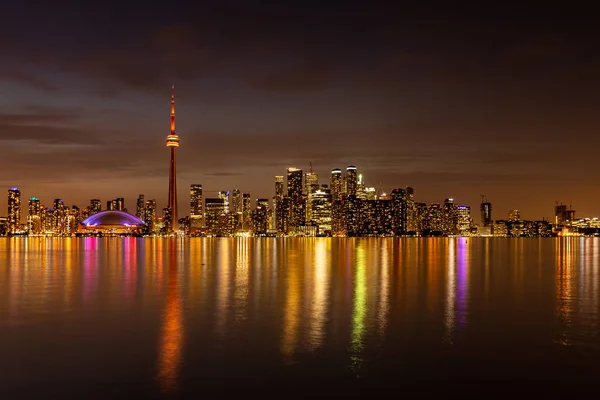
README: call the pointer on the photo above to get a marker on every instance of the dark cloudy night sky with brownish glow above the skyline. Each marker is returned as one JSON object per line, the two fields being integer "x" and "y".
{"x": 456, "y": 101}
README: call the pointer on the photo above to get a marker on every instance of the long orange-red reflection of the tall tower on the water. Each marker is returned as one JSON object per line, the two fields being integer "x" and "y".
{"x": 171, "y": 336}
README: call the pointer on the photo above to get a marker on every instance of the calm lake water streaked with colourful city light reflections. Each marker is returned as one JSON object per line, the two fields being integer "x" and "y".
{"x": 172, "y": 318}
